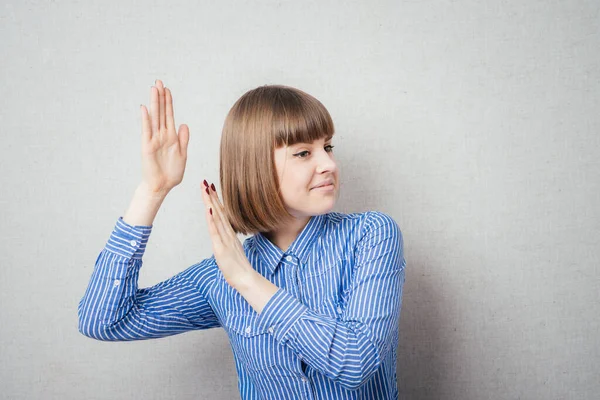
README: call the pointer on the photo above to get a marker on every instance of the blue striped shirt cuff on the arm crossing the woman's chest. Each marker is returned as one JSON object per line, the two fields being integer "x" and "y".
{"x": 280, "y": 314}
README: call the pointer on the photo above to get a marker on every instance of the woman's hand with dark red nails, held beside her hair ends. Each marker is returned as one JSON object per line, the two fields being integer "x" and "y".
{"x": 229, "y": 252}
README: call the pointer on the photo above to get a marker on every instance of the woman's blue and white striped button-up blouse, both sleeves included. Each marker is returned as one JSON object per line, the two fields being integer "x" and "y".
{"x": 329, "y": 332}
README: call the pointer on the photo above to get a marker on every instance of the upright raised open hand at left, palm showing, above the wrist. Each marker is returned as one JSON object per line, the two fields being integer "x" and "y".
{"x": 164, "y": 151}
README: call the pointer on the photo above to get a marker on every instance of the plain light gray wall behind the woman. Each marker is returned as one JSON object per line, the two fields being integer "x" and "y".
{"x": 474, "y": 124}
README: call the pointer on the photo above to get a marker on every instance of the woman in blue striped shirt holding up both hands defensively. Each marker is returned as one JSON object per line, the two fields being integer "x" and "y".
{"x": 311, "y": 302}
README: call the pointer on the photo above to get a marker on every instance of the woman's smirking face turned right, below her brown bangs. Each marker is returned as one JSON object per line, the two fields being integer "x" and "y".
{"x": 301, "y": 168}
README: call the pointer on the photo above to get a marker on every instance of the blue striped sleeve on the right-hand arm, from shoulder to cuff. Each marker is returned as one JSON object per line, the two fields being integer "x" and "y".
{"x": 349, "y": 349}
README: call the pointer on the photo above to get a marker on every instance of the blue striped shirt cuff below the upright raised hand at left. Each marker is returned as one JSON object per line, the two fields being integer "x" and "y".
{"x": 127, "y": 240}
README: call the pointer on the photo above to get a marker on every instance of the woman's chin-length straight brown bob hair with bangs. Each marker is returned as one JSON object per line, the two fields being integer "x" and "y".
{"x": 262, "y": 120}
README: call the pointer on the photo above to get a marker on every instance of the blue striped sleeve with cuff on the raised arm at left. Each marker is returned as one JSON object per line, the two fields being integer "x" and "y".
{"x": 114, "y": 309}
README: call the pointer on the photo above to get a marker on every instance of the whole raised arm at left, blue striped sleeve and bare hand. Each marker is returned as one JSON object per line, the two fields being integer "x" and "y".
{"x": 113, "y": 308}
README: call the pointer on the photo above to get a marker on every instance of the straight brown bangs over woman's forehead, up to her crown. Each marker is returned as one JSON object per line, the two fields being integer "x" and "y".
{"x": 299, "y": 118}
